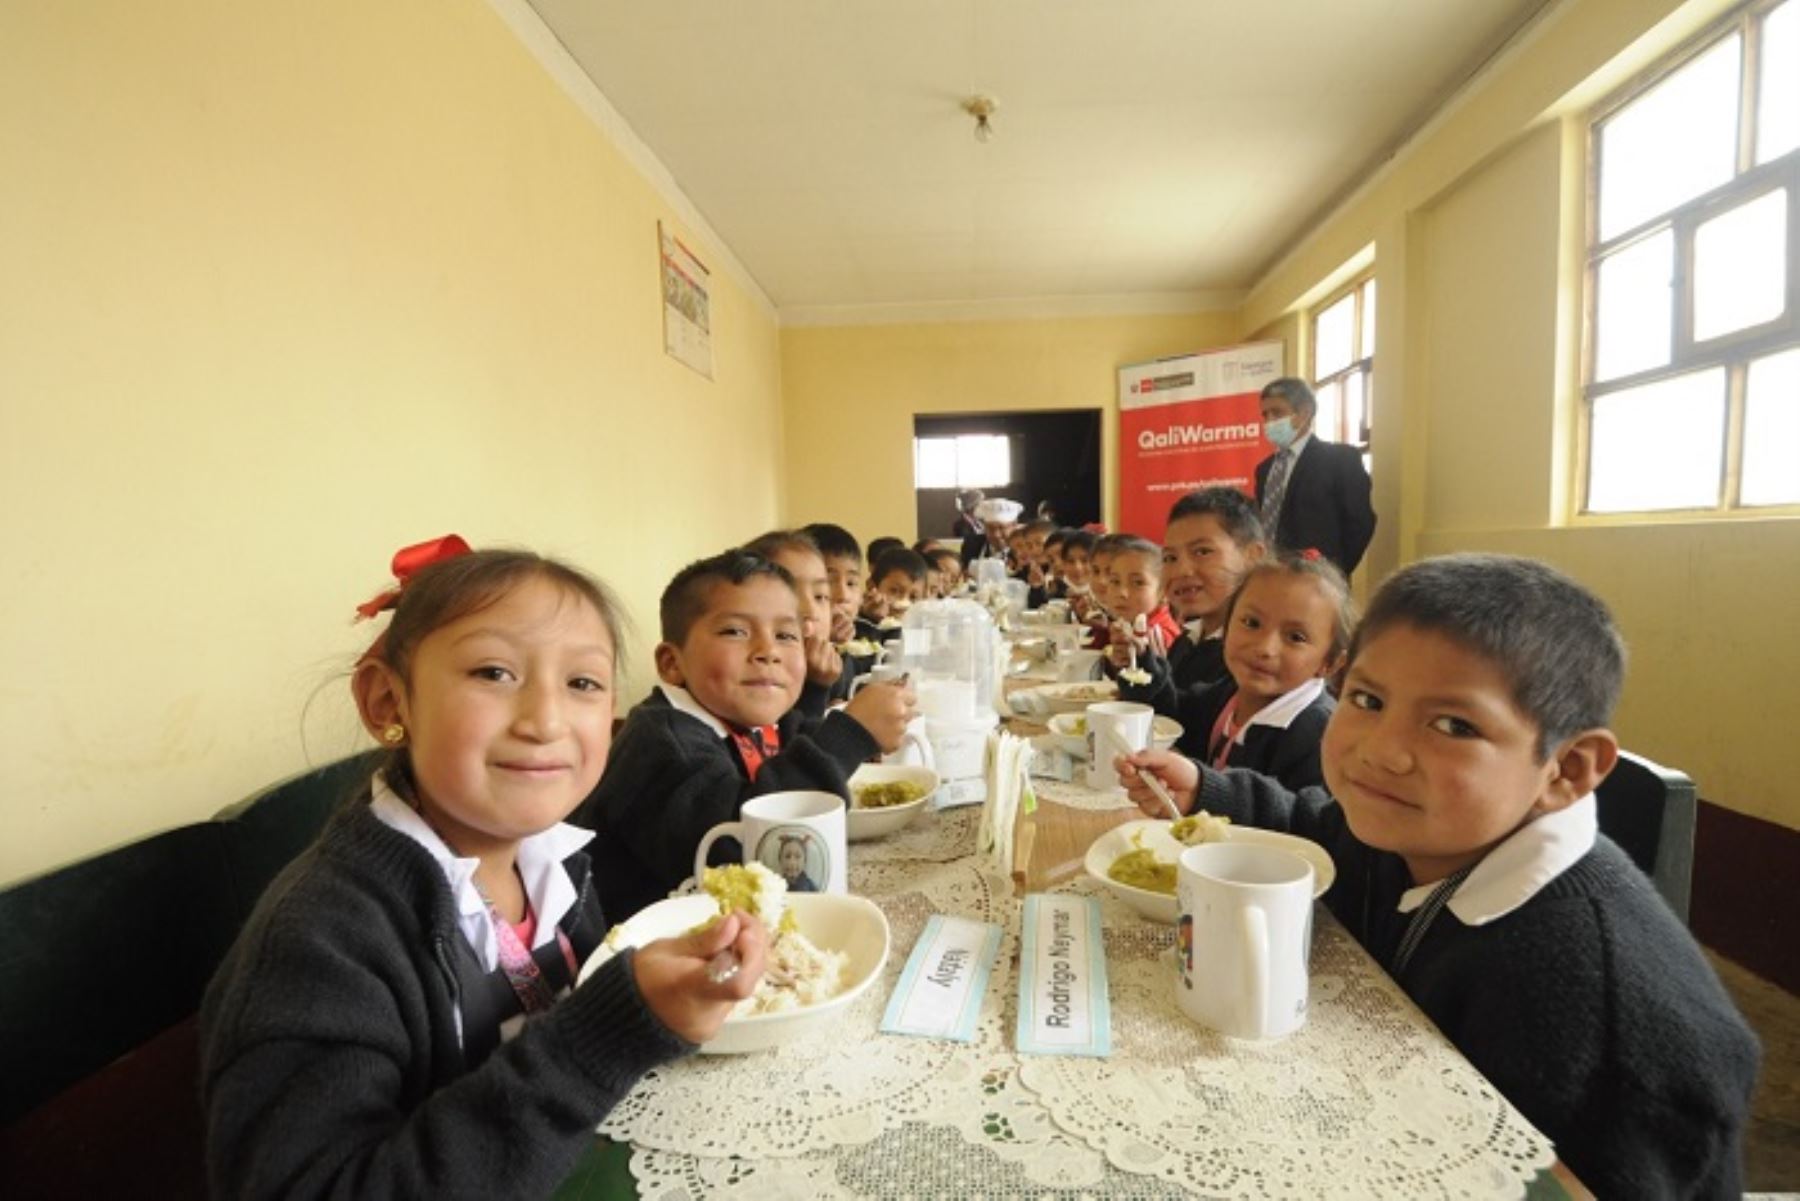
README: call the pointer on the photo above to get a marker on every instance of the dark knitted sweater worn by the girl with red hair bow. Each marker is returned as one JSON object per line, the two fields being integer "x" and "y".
{"x": 332, "y": 1061}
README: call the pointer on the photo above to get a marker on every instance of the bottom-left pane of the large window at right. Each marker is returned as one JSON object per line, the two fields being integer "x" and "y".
{"x": 1659, "y": 447}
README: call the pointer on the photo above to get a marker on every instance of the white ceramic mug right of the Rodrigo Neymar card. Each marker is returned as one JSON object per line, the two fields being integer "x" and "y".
{"x": 1243, "y": 939}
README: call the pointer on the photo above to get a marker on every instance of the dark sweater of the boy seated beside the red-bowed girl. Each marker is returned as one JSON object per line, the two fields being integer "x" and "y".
{"x": 672, "y": 777}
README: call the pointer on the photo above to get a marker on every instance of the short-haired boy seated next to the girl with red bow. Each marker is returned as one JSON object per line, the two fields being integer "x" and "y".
{"x": 723, "y": 728}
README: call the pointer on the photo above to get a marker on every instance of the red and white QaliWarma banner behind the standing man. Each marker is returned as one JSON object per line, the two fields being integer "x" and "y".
{"x": 1191, "y": 422}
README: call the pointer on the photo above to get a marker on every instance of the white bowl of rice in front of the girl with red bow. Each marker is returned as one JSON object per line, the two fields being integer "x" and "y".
{"x": 827, "y": 952}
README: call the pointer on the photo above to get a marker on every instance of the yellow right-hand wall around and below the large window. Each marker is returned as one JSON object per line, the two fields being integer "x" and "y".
{"x": 1479, "y": 258}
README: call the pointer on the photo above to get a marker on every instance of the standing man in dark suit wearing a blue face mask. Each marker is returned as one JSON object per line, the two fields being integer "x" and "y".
{"x": 1311, "y": 492}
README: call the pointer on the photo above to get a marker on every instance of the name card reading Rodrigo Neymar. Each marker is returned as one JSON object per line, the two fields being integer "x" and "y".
{"x": 1063, "y": 979}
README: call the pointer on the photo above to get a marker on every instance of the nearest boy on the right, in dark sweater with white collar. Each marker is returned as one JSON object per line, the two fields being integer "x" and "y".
{"x": 1462, "y": 763}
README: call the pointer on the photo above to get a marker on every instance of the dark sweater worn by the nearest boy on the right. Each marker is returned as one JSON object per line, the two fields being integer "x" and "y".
{"x": 1588, "y": 1006}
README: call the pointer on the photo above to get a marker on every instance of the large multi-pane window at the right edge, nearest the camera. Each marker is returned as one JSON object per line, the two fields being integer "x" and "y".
{"x": 1693, "y": 348}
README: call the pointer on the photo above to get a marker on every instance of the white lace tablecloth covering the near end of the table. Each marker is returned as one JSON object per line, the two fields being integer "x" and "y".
{"x": 1367, "y": 1101}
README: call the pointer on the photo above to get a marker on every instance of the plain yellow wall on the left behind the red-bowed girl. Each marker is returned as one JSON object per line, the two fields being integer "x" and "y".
{"x": 285, "y": 289}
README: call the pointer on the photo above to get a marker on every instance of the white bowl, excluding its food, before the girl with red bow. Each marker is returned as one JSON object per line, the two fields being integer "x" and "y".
{"x": 832, "y": 923}
